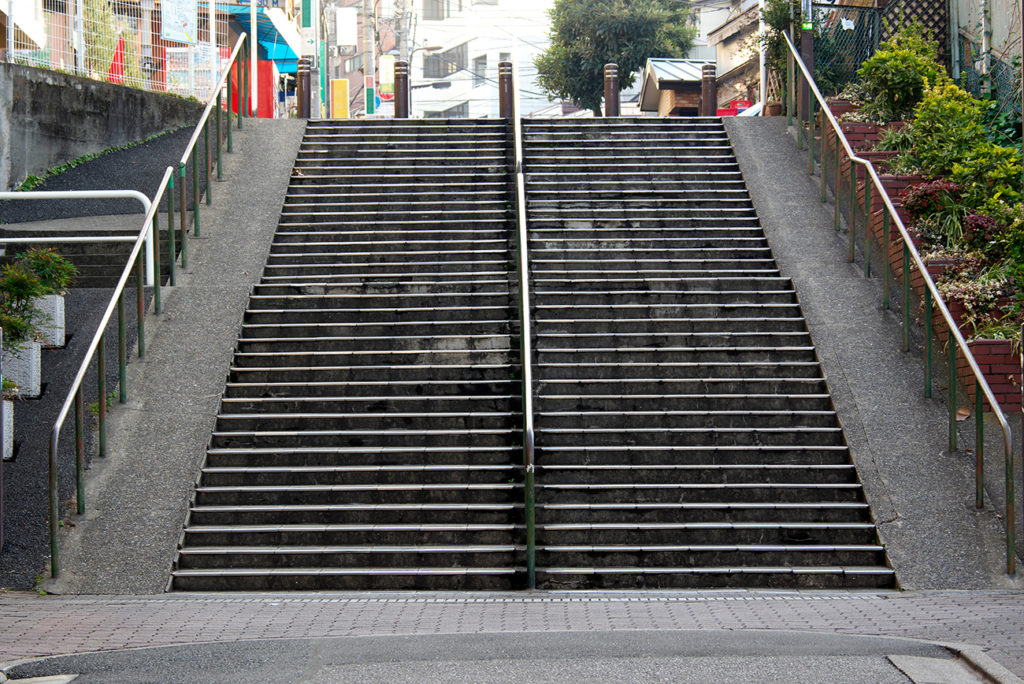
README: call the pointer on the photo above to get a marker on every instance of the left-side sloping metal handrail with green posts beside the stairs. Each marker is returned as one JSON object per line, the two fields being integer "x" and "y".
{"x": 98, "y": 347}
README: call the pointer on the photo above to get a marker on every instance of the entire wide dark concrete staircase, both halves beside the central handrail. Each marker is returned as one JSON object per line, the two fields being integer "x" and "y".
{"x": 370, "y": 433}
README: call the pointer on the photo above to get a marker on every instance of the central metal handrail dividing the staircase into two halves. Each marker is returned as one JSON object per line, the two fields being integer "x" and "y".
{"x": 526, "y": 341}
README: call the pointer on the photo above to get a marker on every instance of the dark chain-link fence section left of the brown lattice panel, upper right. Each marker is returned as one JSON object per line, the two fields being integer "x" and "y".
{"x": 844, "y": 37}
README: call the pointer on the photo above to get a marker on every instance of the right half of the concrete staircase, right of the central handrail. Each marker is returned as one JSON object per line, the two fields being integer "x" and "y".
{"x": 686, "y": 437}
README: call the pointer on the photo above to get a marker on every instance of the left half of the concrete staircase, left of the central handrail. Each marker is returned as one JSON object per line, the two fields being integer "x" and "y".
{"x": 371, "y": 424}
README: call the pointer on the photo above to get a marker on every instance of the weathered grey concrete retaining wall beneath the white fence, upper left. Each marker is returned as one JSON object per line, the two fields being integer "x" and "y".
{"x": 49, "y": 118}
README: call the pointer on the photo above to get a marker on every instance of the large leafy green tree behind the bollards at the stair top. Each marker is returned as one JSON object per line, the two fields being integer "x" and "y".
{"x": 588, "y": 34}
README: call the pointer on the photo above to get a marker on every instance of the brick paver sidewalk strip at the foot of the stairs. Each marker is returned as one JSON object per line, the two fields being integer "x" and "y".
{"x": 51, "y": 625}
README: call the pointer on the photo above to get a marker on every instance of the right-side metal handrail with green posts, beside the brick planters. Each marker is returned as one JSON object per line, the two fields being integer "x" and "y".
{"x": 955, "y": 340}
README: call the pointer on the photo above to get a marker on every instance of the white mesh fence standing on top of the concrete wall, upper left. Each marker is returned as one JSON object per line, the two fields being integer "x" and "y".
{"x": 120, "y": 42}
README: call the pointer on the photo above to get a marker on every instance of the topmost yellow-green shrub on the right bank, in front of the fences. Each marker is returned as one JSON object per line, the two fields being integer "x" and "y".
{"x": 899, "y": 73}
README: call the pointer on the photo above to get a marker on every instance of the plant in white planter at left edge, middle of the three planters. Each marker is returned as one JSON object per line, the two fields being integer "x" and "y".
{"x": 22, "y": 355}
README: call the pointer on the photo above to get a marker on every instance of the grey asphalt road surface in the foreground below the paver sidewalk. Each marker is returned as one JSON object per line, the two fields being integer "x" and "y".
{"x": 722, "y": 657}
